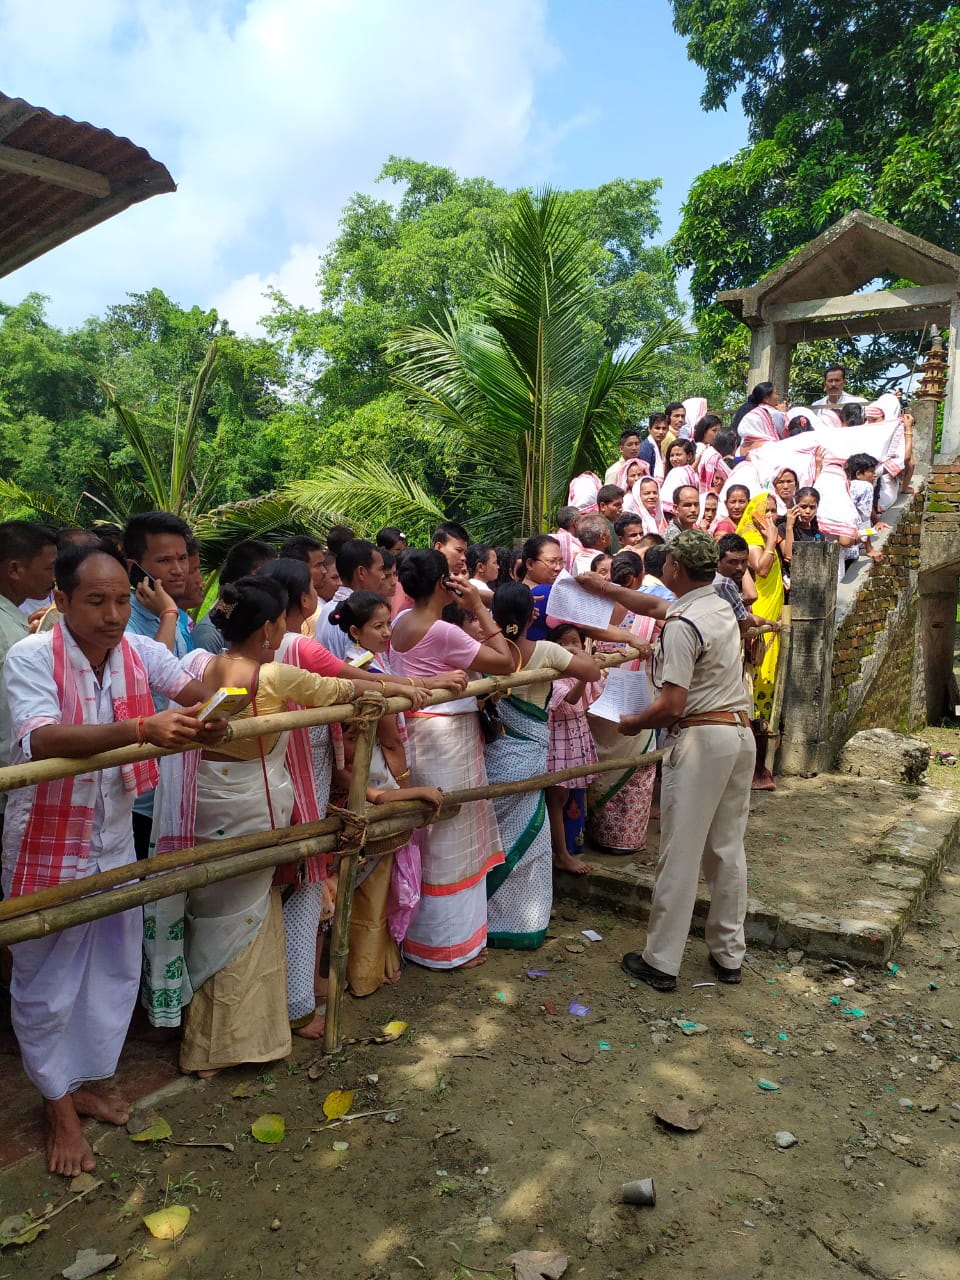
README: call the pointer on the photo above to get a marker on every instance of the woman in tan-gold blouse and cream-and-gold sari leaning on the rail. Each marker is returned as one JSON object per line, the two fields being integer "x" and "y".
{"x": 235, "y": 935}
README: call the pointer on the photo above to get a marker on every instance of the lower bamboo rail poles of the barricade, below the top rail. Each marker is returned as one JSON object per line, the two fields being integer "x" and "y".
{"x": 136, "y": 884}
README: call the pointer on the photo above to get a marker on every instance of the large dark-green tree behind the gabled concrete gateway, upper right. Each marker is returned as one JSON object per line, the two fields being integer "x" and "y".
{"x": 851, "y": 104}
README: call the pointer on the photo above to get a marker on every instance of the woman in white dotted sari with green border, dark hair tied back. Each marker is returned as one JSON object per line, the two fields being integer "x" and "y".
{"x": 520, "y": 892}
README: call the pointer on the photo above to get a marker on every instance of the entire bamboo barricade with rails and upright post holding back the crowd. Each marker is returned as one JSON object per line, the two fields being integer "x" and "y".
{"x": 108, "y": 893}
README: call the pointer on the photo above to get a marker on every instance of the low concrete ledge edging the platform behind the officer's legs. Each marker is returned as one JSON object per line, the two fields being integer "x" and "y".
{"x": 884, "y": 895}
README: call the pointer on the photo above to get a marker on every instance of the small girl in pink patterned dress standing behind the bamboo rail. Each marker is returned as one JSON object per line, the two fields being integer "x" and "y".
{"x": 572, "y": 743}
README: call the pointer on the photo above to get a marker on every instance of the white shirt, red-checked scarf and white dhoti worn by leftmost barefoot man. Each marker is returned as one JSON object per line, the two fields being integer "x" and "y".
{"x": 72, "y": 995}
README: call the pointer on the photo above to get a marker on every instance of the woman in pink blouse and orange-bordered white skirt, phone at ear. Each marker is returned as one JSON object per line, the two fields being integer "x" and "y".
{"x": 446, "y": 751}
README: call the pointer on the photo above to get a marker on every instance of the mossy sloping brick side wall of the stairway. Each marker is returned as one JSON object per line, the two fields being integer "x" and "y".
{"x": 874, "y": 680}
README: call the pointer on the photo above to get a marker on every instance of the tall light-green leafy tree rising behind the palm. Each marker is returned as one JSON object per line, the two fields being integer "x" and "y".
{"x": 406, "y": 263}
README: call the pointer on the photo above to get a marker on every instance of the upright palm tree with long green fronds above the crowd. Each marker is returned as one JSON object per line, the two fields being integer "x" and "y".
{"x": 523, "y": 381}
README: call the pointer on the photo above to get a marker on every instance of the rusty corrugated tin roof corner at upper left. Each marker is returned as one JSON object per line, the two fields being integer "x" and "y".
{"x": 60, "y": 177}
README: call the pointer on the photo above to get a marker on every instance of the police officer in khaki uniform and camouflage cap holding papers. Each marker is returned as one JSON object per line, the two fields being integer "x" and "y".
{"x": 707, "y": 772}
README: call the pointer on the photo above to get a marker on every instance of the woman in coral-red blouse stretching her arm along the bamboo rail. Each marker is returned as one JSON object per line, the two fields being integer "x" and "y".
{"x": 310, "y": 752}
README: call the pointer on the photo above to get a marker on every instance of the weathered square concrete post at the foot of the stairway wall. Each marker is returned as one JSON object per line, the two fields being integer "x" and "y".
{"x": 804, "y": 747}
